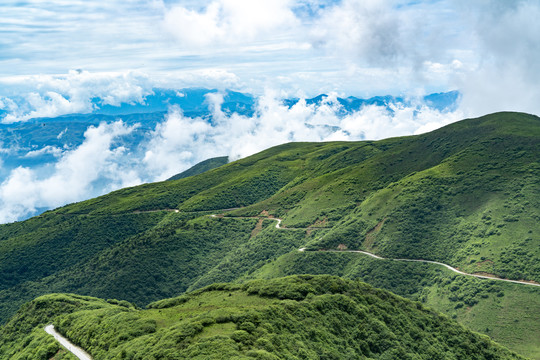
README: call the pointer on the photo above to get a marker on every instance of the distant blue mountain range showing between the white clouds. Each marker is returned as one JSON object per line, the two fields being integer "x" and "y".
{"x": 26, "y": 143}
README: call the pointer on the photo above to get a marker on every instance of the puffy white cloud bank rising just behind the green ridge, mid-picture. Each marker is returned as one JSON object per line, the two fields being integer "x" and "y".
{"x": 181, "y": 141}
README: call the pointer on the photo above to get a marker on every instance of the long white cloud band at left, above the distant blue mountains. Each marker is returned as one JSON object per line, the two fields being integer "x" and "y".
{"x": 80, "y": 91}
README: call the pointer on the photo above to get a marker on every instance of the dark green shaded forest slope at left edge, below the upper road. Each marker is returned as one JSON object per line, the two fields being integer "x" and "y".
{"x": 62, "y": 242}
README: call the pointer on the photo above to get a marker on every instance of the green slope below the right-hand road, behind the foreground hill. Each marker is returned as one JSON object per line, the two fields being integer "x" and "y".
{"x": 506, "y": 312}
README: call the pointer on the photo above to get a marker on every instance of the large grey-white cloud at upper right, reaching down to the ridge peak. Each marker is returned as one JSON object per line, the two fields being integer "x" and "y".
{"x": 488, "y": 49}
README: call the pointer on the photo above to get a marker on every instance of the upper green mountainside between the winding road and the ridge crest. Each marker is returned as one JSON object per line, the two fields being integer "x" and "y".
{"x": 466, "y": 194}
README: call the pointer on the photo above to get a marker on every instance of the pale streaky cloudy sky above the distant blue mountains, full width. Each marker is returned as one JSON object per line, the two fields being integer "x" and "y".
{"x": 354, "y": 47}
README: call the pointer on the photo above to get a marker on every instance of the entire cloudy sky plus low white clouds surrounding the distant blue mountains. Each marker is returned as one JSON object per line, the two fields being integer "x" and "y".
{"x": 58, "y": 55}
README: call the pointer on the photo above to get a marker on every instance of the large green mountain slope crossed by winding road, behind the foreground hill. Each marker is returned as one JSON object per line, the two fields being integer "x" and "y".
{"x": 466, "y": 195}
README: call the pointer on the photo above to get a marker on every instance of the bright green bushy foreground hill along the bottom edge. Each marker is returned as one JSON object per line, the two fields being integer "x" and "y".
{"x": 300, "y": 317}
